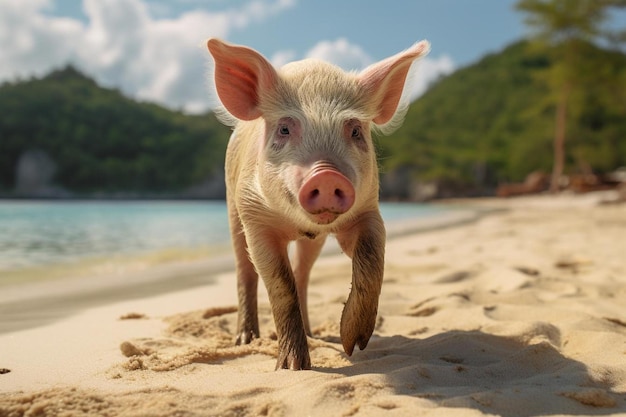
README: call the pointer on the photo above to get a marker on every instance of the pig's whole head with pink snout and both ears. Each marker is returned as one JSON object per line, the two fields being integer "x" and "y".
{"x": 312, "y": 123}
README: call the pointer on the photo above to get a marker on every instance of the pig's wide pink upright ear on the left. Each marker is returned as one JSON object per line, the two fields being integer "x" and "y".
{"x": 241, "y": 77}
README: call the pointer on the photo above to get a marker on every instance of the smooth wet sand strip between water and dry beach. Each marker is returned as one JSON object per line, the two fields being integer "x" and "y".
{"x": 41, "y": 302}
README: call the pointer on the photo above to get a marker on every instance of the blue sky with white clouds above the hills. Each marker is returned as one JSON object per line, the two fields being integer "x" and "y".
{"x": 155, "y": 50}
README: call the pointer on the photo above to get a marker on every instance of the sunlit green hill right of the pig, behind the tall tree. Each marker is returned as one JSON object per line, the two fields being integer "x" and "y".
{"x": 492, "y": 122}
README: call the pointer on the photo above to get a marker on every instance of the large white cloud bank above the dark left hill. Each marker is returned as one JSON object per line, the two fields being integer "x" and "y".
{"x": 123, "y": 45}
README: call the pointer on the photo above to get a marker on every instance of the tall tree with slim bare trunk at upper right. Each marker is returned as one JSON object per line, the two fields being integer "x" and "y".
{"x": 570, "y": 25}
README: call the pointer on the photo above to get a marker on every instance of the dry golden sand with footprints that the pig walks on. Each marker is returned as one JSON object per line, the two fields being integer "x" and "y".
{"x": 521, "y": 312}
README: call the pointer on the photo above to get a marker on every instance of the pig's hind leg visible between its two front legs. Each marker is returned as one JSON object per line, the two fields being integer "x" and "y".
{"x": 307, "y": 251}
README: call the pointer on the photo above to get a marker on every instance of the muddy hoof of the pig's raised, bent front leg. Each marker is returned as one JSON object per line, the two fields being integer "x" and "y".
{"x": 357, "y": 326}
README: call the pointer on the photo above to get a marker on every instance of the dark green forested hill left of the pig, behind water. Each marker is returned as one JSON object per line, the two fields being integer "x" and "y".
{"x": 100, "y": 142}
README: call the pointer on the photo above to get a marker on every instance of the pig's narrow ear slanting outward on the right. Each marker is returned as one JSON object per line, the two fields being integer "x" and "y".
{"x": 384, "y": 83}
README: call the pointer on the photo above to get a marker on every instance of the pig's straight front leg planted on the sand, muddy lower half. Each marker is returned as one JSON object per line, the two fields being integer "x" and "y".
{"x": 269, "y": 254}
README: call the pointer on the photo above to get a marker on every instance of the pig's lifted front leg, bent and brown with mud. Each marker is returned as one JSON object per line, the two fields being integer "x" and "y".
{"x": 365, "y": 244}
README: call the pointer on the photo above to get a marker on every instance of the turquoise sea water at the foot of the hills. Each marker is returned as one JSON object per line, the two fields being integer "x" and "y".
{"x": 35, "y": 234}
